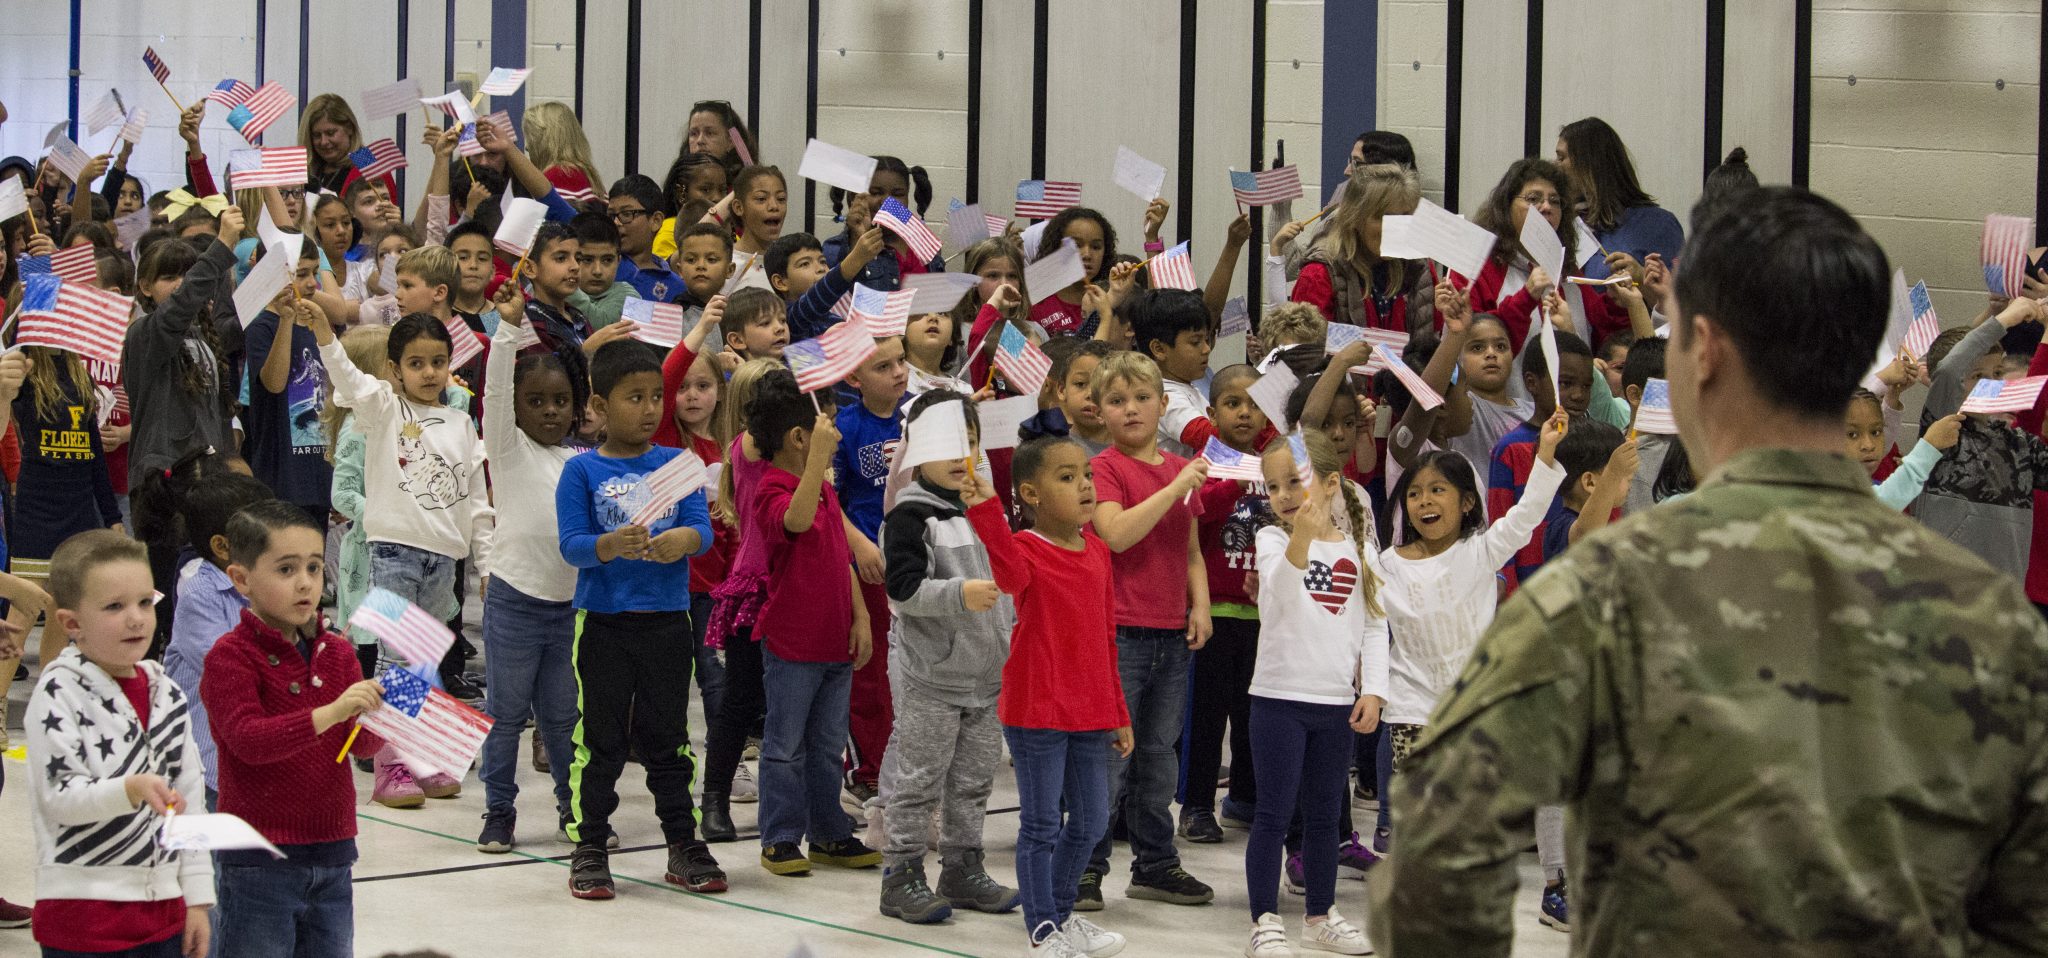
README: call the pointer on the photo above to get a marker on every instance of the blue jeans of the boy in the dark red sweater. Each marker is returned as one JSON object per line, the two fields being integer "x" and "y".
{"x": 288, "y": 912}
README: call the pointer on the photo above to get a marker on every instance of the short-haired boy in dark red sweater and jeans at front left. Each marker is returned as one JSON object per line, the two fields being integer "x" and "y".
{"x": 282, "y": 691}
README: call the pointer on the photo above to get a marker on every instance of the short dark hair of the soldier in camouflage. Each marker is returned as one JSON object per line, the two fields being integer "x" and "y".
{"x": 1799, "y": 288}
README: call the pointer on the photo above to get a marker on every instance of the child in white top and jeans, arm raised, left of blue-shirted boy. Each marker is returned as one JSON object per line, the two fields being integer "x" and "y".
{"x": 529, "y": 621}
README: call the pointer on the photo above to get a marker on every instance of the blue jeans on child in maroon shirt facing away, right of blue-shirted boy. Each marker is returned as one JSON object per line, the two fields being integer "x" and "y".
{"x": 802, "y": 748}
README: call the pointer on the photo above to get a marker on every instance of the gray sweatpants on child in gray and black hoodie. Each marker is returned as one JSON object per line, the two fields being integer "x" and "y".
{"x": 941, "y": 756}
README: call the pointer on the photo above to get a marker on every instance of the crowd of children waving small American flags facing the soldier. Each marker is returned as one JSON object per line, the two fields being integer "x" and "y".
{"x": 1285, "y": 556}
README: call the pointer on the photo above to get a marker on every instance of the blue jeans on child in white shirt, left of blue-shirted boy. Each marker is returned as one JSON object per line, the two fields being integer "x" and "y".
{"x": 527, "y": 674}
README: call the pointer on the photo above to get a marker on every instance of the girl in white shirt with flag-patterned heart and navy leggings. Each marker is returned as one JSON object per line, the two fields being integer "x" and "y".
{"x": 1320, "y": 679}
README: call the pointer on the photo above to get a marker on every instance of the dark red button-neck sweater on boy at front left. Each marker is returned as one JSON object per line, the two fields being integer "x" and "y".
{"x": 275, "y": 773}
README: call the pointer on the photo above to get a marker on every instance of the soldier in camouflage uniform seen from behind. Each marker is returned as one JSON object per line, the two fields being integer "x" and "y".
{"x": 1785, "y": 717}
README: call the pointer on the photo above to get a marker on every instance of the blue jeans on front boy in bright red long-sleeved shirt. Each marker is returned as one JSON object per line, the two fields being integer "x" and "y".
{"x": 1058, "y": 771}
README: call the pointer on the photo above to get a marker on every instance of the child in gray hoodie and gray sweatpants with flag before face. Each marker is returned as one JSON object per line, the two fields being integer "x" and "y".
{"x": 949, "y": 642}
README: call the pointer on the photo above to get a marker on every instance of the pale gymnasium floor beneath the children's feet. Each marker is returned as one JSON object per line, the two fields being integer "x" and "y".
{"x": 423, "y": 885}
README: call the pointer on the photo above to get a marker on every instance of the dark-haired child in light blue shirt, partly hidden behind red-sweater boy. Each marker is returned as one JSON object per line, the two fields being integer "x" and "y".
{"x": 208, "y": 601}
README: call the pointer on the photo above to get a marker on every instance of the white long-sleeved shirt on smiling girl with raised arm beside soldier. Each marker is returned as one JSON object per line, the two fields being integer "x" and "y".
{"x": 1439, "y": 607}
